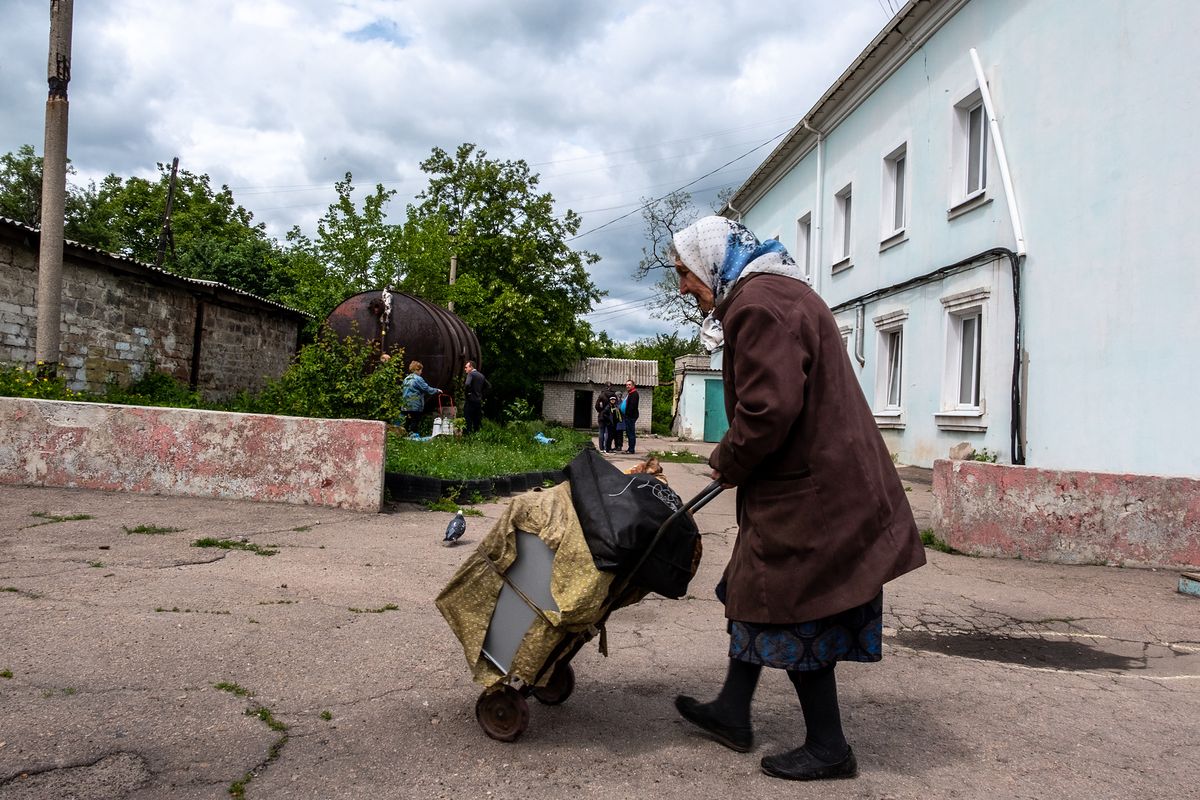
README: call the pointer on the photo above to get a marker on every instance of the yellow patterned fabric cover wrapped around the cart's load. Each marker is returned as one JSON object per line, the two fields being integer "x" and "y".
{"x": 578, "y": 587}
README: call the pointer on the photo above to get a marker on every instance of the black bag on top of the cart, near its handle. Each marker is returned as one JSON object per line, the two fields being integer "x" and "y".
{"x": 621, "y": 515}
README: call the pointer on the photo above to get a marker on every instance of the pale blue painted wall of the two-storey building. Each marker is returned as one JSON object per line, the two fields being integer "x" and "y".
{"x": 1090, "y": 110}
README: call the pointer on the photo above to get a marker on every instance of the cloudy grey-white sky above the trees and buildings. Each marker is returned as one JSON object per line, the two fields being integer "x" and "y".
{"x": 610, "y": 101}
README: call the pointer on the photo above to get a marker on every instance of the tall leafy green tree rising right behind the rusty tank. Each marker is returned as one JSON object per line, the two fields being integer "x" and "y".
{"x": 520, "y": 286}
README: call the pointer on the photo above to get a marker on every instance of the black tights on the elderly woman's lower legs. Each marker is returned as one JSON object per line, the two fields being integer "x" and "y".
{"x": 818, "y": 693}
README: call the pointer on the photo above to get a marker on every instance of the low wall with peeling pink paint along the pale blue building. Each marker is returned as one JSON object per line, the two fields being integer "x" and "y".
{"x": 1066, "y": 516}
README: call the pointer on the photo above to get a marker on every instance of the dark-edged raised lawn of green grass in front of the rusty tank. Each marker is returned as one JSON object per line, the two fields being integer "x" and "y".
{"x": 495, "y": 450}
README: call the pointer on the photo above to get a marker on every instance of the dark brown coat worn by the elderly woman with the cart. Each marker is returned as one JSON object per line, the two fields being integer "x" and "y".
{"x": 824, "y": 521}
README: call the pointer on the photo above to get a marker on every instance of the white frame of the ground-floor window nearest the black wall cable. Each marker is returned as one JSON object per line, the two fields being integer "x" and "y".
{"x": 959, "y": 308}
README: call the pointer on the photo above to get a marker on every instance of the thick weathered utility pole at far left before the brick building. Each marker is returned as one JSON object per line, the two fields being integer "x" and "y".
{"x": 55, "y": 188}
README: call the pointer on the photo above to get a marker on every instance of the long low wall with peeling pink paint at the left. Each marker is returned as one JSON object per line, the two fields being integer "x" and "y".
{"x": 200, "y": 454}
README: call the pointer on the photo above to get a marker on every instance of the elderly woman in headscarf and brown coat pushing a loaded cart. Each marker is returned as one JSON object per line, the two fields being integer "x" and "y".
{"x": 823, "y": 518}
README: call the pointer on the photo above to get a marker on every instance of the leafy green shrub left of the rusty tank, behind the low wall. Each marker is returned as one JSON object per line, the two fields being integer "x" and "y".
{"x": 334, "y": 378}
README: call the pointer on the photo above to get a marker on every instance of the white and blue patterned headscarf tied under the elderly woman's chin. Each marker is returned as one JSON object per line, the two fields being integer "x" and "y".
{"x": 721, "y": 252}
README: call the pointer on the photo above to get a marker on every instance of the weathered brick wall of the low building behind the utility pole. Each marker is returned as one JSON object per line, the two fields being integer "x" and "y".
{"x": 123, "y": 320}
